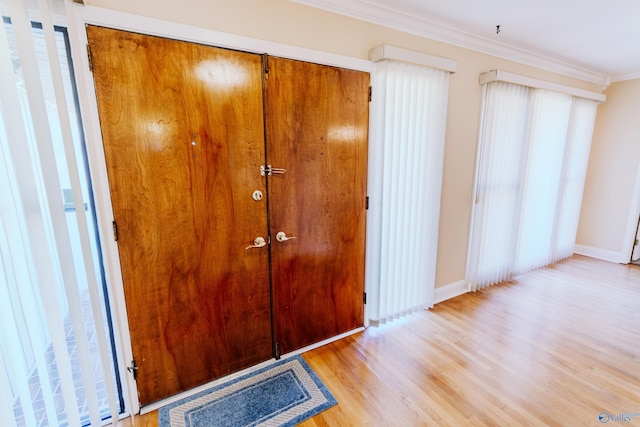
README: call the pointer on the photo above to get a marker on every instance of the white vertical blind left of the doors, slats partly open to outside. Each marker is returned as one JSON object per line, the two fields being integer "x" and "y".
{"x": 55, "y": 354}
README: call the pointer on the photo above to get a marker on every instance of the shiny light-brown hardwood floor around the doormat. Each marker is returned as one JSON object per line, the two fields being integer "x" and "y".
{"x": 556, "y": 346}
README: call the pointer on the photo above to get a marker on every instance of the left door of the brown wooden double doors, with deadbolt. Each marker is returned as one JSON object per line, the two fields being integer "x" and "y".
{"x": 182, "y": 126}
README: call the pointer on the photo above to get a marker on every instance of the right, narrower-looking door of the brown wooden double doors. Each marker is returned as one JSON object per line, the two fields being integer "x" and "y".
{"x": 317, "y": 122}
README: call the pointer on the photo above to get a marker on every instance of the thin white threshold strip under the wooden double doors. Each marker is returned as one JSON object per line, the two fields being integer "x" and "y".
{"x": 169, "y": 400}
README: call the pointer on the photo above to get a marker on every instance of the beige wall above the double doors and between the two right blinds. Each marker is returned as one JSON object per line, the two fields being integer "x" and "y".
{"x": 290, "y": 23}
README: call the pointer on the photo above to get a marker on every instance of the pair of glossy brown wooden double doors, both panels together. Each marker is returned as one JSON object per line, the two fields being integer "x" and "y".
{"x": 238, "y": 186}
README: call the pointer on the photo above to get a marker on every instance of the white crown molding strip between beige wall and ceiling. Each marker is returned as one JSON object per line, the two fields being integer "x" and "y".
{"x": 424, "y": 27}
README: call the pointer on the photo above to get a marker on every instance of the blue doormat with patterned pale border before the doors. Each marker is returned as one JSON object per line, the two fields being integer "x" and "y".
{"x": 283, "y": 394}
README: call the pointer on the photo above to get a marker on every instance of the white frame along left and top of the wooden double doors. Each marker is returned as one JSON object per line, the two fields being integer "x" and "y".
{"x": 78, "y": 16}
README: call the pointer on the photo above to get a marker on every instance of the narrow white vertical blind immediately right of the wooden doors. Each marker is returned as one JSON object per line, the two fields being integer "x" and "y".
{"x": 410, "y": 105}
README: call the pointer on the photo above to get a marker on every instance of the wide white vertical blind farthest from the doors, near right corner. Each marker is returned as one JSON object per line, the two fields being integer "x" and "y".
{"x": 532, "y": 158}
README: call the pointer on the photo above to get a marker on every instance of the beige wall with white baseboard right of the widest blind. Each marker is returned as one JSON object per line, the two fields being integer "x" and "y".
{"x": 611, "y": 201}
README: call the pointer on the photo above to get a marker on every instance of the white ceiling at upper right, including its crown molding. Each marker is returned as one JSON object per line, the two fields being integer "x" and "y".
{"x": 593, "y": 40}
